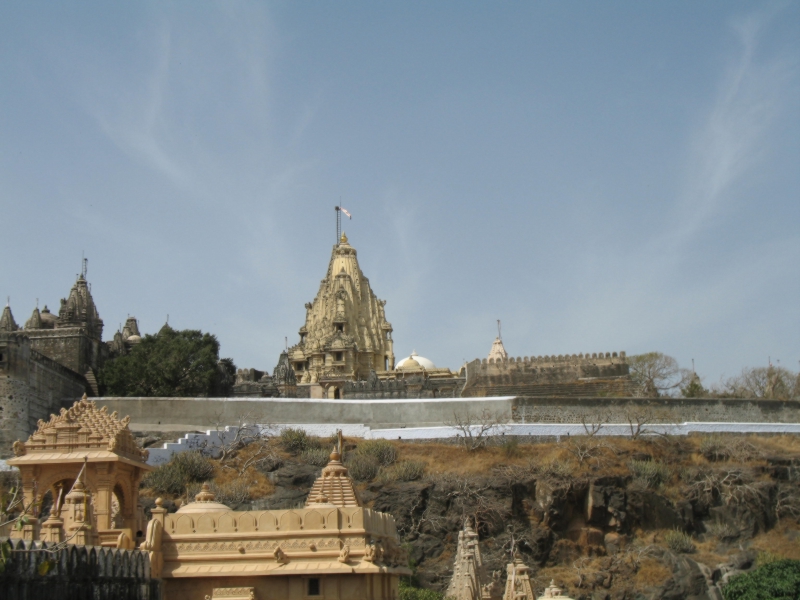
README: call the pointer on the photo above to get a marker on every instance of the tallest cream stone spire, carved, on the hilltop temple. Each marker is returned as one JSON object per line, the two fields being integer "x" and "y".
{"x": 346, "y": 334}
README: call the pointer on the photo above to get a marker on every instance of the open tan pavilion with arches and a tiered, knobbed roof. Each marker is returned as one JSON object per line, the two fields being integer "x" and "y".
{"x": 90, "y": 464}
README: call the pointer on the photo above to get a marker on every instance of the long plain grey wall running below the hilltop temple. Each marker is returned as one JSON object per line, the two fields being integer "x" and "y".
{"x": 187, "y": 414}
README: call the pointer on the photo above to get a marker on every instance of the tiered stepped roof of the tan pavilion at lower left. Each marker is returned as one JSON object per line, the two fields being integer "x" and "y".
{"x": 83, "y": 430}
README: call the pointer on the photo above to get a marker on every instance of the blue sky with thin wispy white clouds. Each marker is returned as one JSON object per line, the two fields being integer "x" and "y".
{"x": 615, "y": 176}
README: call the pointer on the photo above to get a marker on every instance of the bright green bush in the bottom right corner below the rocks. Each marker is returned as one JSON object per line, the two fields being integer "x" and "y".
{"x": 779, "y": 580}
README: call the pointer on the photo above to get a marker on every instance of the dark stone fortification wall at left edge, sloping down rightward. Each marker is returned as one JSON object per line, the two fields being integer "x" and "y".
{"x": 32, "y": 386}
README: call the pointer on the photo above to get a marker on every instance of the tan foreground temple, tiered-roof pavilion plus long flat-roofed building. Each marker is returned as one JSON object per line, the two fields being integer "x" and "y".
{"x": 87, "y": 459}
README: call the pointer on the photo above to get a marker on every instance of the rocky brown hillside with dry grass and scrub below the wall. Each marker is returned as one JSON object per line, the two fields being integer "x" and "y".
{"x": 656, "y": 517}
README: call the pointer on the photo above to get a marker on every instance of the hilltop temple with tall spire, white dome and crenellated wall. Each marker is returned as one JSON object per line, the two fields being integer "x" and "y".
{"x": 346, "y": 350}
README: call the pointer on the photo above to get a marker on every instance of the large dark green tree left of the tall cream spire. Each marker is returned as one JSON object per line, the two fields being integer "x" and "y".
{"x": 172, "y": 363}
